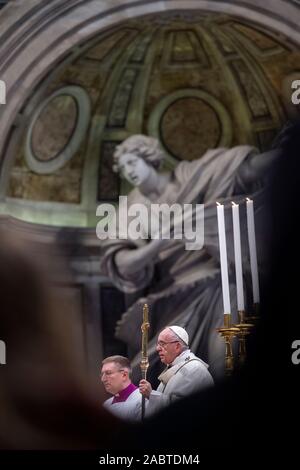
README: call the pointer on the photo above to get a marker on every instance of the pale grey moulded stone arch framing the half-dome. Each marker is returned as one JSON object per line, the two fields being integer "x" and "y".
{"x": 37, "y": 35}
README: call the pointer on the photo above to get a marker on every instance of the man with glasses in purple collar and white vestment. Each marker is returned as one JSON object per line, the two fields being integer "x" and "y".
{"x": 126, "y": 400}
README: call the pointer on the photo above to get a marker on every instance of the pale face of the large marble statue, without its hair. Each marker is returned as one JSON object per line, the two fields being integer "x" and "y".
{"x": 134, "y": 168}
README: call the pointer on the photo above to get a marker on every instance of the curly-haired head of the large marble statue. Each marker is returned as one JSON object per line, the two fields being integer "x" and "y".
{"x": 136, "y": 157}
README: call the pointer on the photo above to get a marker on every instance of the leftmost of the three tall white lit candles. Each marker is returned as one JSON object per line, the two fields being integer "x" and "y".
{"x": 223, "y": 258}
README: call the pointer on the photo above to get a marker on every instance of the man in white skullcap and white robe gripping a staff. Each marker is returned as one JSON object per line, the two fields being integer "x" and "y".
{"x": 185, "y": 373}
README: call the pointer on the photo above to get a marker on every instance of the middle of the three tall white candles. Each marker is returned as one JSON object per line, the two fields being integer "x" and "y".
{"x": 238, "y": 256}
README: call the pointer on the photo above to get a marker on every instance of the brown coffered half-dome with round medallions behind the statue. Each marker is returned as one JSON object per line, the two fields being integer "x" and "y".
{"x": 195, "y": 81}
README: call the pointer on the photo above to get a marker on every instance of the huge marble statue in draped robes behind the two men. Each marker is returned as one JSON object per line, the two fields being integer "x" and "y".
{"x": 181, "y": 287}
